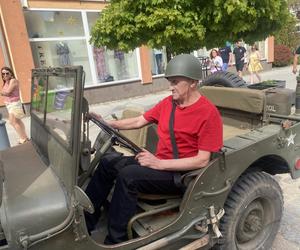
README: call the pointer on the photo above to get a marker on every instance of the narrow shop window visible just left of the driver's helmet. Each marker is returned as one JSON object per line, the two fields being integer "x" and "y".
{"x": 158, "y": 59}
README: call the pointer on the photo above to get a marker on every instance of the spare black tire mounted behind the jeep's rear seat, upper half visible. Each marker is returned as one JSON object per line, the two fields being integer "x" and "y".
{"x": 224, "y": 79}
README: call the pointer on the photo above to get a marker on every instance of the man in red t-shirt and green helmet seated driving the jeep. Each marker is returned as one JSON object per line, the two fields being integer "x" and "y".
{"x": 182, "y": 146}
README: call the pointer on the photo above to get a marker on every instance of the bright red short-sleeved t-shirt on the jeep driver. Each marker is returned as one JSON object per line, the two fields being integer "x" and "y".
{"x": 196, "y": 127}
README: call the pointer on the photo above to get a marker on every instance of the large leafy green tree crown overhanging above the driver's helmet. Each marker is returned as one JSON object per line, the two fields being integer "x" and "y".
{"x": 183, "y": 26}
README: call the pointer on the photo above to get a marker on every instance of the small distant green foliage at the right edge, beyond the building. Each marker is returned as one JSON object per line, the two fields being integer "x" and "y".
{"x": 288, "y": 35}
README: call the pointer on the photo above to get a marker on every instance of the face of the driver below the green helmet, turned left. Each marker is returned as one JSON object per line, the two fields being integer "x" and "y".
{"x": 180, "y": 87}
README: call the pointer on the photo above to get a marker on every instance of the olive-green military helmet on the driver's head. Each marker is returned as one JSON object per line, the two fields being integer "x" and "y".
{"x": 184, "y": 65}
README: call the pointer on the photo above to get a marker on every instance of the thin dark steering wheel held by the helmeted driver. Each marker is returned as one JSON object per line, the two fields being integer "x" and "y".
{"x": 117, "y": 138}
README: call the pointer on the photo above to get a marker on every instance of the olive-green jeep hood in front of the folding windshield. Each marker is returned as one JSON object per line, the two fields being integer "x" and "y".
{"x": 33, "y": 199}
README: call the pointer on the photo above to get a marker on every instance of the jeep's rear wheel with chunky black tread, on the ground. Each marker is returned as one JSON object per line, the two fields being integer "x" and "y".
{"x": 256, "y": 198}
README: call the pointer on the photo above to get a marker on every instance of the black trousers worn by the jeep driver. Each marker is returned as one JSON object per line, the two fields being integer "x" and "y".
{"x": 131, "y": 178}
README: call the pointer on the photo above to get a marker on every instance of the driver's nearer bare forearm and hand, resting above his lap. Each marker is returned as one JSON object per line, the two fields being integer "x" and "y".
{"x": 201, "y": 160}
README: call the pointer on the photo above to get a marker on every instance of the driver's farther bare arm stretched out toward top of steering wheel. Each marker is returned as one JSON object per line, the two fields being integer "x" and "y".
{"x": 129, "y": 123}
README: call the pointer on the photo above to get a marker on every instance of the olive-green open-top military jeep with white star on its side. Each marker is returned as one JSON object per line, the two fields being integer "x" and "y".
{"x": 233, "y": 203}
